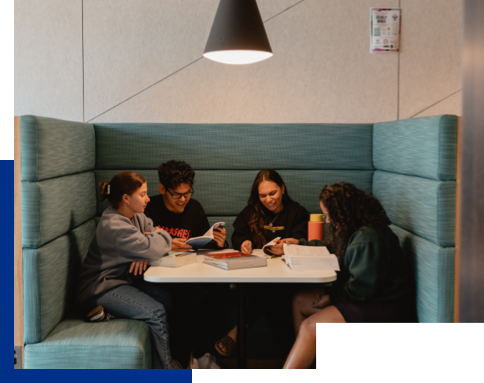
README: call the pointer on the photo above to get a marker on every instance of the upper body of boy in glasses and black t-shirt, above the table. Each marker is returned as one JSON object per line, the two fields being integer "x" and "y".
{"x": 176, "y": 212}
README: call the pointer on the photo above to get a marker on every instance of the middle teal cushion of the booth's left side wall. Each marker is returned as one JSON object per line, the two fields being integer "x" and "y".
{"x": 53, "y": 207}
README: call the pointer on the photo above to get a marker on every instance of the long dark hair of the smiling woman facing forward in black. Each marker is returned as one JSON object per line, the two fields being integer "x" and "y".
{"x": 257, "y": 210}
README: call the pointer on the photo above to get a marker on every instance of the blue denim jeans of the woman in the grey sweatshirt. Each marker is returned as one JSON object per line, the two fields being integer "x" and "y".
{"x": 147, "y": 302}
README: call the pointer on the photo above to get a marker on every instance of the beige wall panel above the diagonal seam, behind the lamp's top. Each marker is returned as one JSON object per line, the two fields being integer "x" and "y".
{"x": 131, "y": 45}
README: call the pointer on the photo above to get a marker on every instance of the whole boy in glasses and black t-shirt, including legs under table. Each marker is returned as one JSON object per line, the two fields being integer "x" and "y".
{"x": 197, "y": 308}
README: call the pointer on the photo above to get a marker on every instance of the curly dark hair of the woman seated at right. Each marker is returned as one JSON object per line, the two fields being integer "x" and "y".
{"x": 349, "y": 209}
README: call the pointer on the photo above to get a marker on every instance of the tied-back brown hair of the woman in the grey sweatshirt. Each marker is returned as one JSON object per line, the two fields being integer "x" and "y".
{"x": 126, "y": 182}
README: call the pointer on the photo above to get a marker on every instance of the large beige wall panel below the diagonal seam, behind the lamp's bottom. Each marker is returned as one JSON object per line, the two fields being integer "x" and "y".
{"x": 322, "y": 71}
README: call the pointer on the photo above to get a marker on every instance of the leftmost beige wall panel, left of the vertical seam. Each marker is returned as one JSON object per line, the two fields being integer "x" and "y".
{"x": 48, "y": 58}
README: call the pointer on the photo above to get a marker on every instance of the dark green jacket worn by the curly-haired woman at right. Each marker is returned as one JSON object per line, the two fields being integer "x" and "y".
{"x": 373, "y": 268}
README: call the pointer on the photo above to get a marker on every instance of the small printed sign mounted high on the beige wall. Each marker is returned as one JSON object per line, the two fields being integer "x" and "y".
{"x": 385, "y": 29}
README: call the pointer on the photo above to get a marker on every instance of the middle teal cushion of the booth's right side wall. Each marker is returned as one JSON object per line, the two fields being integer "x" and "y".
{"x": 419, "y": 205}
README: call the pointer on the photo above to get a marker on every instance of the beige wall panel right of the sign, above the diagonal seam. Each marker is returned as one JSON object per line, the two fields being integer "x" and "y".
{"x": 430, "y": 59}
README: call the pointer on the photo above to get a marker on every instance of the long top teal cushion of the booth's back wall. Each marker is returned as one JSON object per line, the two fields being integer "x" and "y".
{"x": 235, "y": 146}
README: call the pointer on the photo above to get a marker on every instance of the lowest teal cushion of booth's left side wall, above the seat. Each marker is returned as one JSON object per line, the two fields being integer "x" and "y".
{"x": 50, "y": 275}
